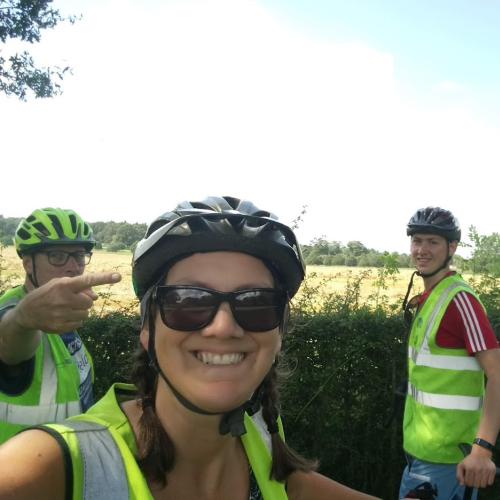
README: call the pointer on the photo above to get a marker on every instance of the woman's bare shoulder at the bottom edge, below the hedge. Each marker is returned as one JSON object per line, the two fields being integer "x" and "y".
{"x": 312, "y": 485}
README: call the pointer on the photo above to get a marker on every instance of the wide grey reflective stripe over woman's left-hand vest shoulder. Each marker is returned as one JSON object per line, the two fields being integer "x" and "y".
{"x": 104, "y": 476}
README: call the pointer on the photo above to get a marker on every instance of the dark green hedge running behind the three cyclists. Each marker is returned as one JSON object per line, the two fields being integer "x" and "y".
{"x": 345, "y": 360}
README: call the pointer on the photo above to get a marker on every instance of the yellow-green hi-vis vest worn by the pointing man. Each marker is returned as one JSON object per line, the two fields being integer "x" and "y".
{"x": 54, "y": 391}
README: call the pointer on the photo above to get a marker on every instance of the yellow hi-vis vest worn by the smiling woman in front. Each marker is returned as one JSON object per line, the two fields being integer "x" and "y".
{"x": 103, "y": 452}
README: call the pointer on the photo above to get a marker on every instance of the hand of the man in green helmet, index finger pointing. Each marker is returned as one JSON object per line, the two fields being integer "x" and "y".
{"x": 62, "y": 304}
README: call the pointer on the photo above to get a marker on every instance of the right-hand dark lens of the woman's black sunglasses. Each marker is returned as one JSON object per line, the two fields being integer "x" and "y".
{"x": 259, "y": 310}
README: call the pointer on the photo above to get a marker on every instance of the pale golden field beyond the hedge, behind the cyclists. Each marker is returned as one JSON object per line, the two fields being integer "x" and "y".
{"x": 332, "y": 278}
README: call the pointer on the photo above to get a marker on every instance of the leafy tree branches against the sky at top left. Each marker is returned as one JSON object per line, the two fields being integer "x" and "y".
{"x": 25, "y": 20}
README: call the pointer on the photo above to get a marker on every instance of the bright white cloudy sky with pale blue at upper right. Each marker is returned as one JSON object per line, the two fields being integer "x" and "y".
{"x": 361, "y": 111}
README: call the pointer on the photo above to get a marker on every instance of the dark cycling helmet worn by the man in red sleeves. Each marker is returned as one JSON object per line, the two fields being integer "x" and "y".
{"x": 434, "y": 220}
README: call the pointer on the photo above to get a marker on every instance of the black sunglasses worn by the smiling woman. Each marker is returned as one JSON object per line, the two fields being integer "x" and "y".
{"x": 188, "y": 308}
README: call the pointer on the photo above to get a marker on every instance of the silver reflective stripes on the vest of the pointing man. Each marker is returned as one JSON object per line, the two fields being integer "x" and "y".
{"x": 47, "y": 410}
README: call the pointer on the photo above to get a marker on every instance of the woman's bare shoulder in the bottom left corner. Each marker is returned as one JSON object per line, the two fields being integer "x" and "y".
{"x": 32, "y": 466}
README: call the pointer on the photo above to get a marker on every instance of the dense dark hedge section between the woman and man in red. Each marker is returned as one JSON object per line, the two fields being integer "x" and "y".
{"x": 339, "y": 402}
